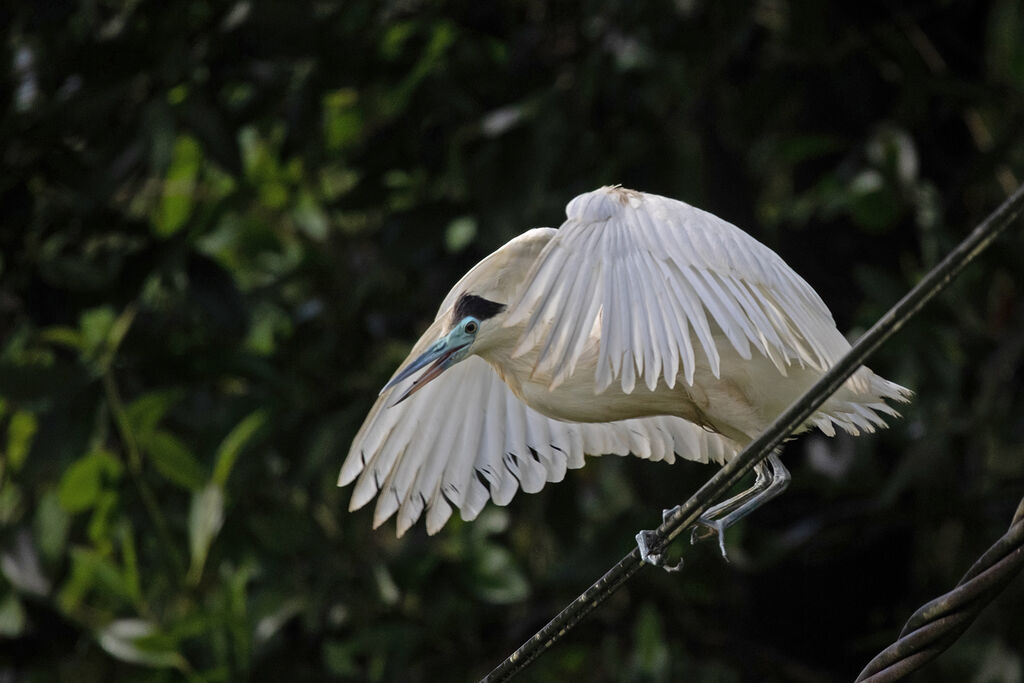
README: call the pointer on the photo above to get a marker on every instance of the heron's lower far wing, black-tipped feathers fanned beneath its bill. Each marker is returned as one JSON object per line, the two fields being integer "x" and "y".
{"x": 466, "y": 438}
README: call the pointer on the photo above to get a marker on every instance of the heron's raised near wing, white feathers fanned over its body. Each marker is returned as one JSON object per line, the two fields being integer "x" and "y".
{"x": 657, "y": 281}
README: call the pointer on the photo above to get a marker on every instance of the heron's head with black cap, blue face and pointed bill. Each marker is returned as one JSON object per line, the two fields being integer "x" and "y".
{"x": 473, "y": 326}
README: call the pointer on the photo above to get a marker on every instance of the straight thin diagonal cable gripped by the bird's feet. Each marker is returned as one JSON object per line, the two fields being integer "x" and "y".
{"x": 685, "y": 517}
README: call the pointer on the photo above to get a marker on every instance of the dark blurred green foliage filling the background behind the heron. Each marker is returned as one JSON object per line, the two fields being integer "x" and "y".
{"x": 224, "y": 225}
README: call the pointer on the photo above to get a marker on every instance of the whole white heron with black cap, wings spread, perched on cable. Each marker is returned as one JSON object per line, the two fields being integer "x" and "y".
{"x": 643, "y": 326}
